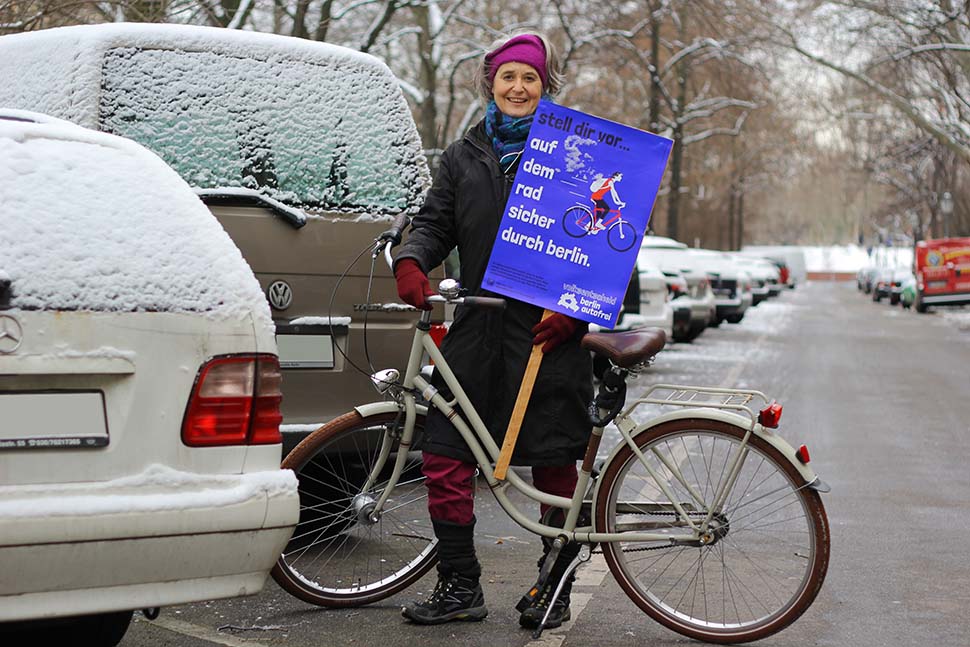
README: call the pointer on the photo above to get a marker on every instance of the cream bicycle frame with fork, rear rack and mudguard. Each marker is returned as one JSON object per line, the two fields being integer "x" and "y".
{"x": 486, "y": 451}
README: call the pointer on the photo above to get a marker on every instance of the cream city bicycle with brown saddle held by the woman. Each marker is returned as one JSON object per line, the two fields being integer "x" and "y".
{"x": 711, "y": 523}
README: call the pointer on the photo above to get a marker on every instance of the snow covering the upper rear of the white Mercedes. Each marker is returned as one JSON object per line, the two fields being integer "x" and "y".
{"x": 90, "y": 221}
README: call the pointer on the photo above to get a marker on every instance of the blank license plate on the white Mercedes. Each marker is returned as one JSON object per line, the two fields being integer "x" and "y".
{"x": 31, "y": 420}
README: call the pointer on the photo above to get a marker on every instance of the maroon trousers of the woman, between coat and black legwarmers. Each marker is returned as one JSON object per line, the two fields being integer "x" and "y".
{"x": 451, "y": 495}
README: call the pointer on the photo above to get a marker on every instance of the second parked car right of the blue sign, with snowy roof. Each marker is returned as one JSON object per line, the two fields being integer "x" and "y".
{"x": 673, "y": 259}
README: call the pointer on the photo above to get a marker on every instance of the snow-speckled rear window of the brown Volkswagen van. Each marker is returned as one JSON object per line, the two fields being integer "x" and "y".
{"x": 328, "y": 135}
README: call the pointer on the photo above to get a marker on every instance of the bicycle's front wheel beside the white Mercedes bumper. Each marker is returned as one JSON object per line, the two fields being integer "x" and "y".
{"x": 335, "y": 558}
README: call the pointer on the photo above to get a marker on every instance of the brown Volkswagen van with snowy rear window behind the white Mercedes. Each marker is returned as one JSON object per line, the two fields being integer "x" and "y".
{"x": 304, "y": 151}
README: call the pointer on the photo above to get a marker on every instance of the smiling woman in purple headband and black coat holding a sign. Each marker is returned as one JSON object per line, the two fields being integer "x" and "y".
{"x": 488, "y": 349}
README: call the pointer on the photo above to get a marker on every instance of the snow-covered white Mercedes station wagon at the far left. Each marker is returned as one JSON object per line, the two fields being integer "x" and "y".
{"x": 139, "y": 392}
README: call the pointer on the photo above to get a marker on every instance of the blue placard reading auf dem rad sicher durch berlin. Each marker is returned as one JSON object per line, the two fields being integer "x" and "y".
{"x": 579, "y": 206}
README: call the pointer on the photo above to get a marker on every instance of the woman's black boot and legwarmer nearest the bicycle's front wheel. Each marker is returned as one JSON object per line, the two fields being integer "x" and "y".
{"x": 458, "y": 594}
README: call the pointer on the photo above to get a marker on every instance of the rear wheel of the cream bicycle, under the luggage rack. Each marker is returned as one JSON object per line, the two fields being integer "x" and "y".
{"x": 767, "y": 549}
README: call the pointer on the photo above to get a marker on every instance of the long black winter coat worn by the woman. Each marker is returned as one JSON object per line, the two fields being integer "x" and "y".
{"x": 487, "y": 348}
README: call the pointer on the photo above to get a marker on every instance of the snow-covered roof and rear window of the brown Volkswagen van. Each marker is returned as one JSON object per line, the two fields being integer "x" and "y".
{"x": 320, "y": 127}
